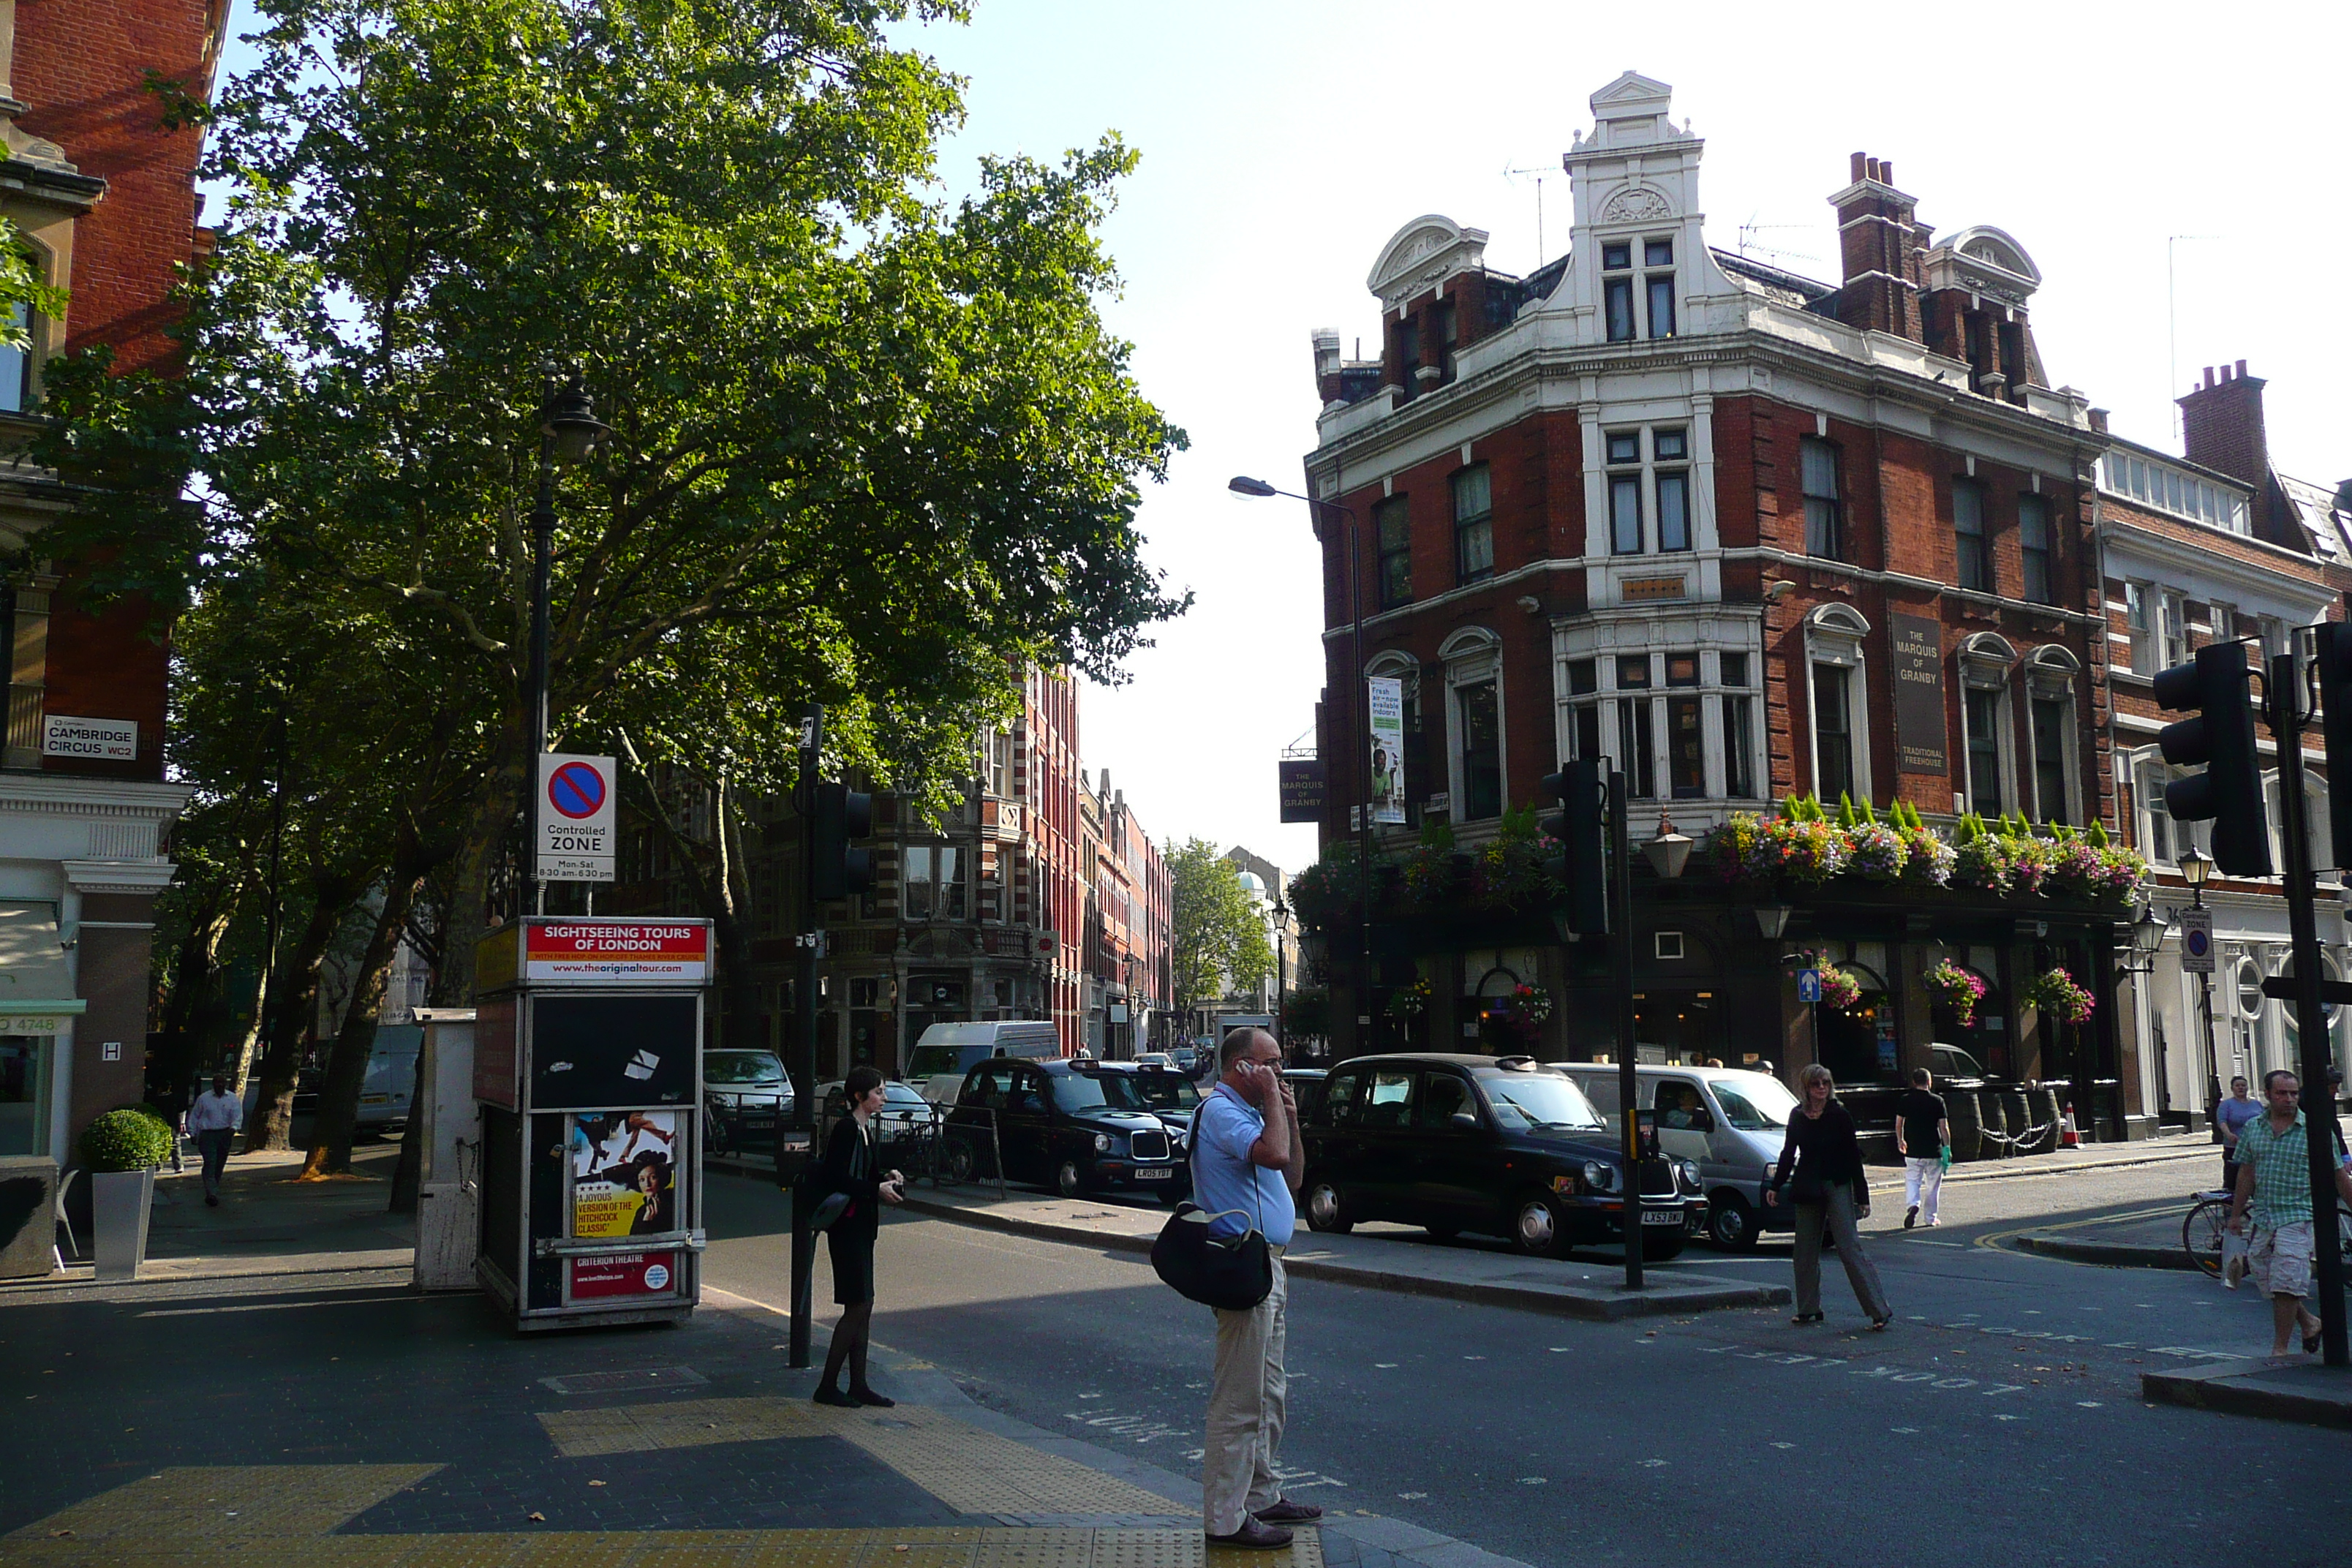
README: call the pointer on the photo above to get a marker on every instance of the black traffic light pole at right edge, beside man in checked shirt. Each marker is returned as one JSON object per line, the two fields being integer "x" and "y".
{"x": 2311, "y": 1019}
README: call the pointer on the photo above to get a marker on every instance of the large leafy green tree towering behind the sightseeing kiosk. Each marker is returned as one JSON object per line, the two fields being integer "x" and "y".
{"x": 874, "y": 450}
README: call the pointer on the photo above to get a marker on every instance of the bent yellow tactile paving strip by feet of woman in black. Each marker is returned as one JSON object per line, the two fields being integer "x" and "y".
{"x": 970, "y": 1470}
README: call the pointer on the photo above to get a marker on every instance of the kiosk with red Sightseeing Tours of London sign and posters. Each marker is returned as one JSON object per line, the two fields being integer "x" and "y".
{"x": 589, "y": 1073}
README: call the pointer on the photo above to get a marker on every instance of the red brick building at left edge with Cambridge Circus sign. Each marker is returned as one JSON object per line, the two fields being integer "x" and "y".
{"x": 105, "y": 199}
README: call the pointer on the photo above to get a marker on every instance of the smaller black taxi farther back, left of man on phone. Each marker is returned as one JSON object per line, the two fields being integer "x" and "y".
{"x": 1071, "y": 1127}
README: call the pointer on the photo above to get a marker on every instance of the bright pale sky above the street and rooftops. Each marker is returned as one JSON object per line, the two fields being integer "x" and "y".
{"x": 1288, "y": 140}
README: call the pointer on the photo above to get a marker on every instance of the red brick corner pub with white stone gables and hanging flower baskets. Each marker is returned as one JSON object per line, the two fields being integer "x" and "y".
{"x": 1746, "y": 537}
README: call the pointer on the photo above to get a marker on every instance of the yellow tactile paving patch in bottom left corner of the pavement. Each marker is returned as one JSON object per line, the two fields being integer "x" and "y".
{"x": 229, "y": 1503}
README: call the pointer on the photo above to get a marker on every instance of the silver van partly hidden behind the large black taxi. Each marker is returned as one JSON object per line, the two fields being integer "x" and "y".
{"x": 1728, "y": 1120}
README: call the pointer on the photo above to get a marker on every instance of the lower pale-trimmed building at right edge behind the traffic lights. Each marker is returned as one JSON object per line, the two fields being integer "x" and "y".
{"x": 2207, "y": 549}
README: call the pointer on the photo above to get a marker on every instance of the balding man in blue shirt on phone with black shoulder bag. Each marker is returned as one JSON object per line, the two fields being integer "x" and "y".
{"x": 1248, "y": 1165}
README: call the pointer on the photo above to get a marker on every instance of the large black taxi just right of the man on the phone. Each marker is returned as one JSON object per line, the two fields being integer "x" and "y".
{"x": 1492, "y": 1146}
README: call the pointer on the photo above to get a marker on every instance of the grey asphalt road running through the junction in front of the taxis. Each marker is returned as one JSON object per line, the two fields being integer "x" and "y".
{"x": 1996, "y": 1423}
